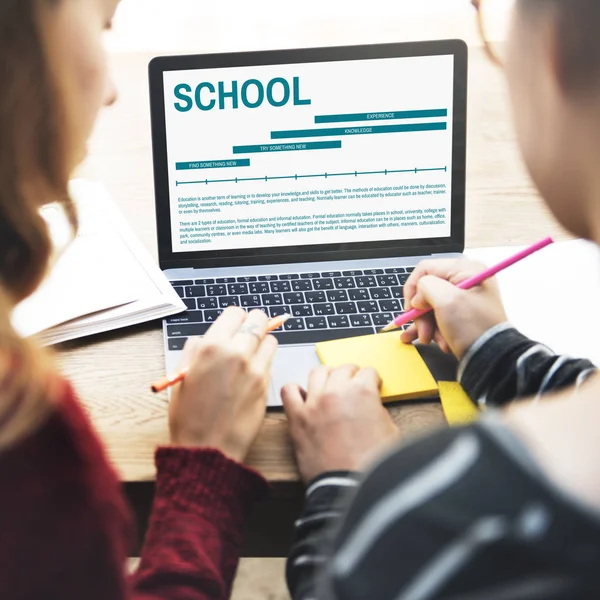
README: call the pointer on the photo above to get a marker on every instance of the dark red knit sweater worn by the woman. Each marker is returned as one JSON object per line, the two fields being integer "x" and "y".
{"x": 65, "y": 529}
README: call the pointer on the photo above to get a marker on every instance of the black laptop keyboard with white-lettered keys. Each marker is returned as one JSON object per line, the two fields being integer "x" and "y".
{"x": 324, "y": 305}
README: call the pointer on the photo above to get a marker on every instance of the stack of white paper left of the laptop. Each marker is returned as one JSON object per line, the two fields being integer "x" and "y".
{"x": 105, "y": 279}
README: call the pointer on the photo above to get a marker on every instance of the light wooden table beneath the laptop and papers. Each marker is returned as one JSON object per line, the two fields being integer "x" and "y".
{"x": 111, "y": 372}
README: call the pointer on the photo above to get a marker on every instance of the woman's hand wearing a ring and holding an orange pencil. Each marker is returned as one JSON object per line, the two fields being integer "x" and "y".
{"x": 221, "y": 402}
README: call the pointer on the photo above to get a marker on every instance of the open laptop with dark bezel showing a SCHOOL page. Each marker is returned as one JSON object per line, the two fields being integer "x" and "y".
{"x": 309, "y": 182}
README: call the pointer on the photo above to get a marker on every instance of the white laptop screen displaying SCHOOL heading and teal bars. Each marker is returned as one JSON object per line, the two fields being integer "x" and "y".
{"x": 308, "y": 154}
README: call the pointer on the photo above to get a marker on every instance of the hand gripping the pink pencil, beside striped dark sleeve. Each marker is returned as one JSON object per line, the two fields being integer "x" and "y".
{"x": 459, "y": 317}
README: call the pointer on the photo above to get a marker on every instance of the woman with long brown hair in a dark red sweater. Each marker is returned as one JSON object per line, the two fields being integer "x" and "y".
{"x": 64, "y": 527}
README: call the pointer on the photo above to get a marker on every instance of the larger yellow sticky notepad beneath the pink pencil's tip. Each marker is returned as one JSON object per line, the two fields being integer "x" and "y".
{"x": 404, "y": 374}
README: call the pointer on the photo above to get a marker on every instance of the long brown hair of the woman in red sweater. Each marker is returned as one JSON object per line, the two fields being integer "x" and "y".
{"x": 32, "y": 172}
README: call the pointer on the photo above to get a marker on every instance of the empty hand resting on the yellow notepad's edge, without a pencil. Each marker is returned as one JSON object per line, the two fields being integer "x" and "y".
{"x": 339, "y": 423}
